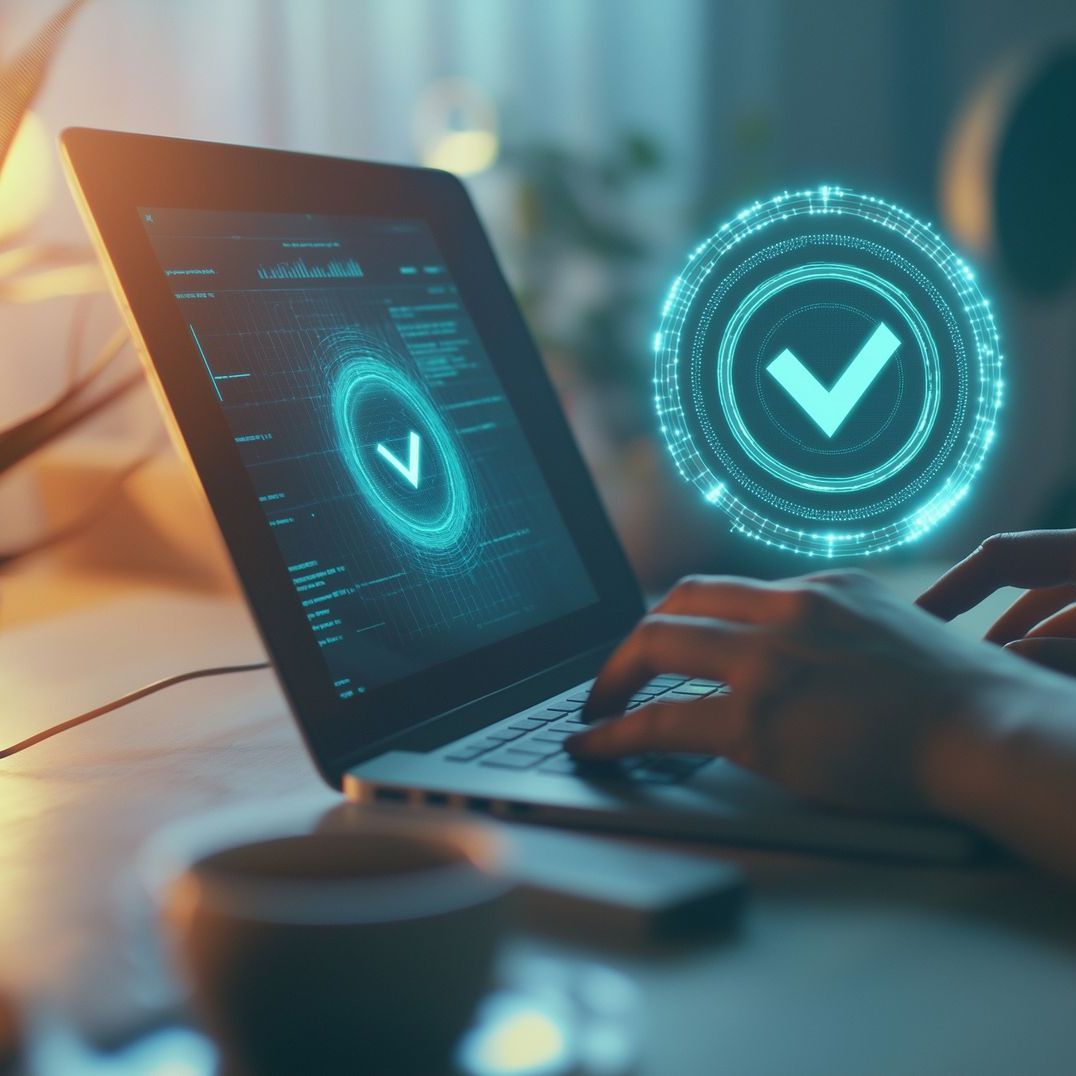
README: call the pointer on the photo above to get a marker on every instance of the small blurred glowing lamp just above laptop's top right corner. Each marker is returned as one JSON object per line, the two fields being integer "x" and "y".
{"x": 456, "y": 128}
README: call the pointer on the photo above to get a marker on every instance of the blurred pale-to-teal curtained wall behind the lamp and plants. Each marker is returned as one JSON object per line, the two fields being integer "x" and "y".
{"x": 743, "y": 95}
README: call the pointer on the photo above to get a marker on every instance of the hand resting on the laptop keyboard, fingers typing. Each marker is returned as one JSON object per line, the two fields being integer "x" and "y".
{"x": 840, "y": 691}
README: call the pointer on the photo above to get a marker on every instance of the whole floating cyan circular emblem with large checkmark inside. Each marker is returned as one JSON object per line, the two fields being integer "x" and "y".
{"x": 775, "y": 454}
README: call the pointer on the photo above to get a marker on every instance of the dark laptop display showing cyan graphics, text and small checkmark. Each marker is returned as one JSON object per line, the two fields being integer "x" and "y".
{"x": 405, "y": 501}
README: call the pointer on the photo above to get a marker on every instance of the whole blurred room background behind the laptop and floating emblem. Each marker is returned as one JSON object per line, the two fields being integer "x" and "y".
{"x": 601, "y": 139}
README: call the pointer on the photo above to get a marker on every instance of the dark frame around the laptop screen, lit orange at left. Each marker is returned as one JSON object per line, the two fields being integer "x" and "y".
{"x": 115, "y": 174}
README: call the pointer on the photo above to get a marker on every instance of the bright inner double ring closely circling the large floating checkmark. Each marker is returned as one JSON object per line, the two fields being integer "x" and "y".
{"x": 913, "y": 319}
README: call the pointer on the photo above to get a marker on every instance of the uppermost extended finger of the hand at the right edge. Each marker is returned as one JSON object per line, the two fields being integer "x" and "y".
{"x": 1029, "y": 559}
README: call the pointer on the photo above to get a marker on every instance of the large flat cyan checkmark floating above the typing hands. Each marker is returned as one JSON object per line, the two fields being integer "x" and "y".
{"x": 829, "y": 408}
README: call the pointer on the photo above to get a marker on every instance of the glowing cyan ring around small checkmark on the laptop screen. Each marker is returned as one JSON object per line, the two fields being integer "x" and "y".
{"x": 446, "y": 531}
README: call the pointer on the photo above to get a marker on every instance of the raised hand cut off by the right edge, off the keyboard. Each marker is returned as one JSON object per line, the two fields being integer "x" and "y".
{"x": 1040, "y": 625}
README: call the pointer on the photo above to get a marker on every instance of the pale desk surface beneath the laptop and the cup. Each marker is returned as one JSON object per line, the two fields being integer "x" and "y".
{"x": 840, "y": 967}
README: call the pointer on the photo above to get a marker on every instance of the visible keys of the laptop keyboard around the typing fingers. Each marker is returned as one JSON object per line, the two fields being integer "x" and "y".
{"x": 535, "y": 741}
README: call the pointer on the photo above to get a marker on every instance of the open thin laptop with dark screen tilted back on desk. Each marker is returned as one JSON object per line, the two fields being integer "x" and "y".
{"x": 426, "y": 556}
